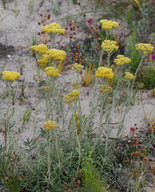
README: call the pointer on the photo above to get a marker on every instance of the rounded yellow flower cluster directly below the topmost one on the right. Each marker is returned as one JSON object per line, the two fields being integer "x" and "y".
{"x": 109, "y": 46}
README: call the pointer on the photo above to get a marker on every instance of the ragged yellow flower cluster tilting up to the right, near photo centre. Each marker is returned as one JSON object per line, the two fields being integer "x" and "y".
{"x": 74, "y": 95}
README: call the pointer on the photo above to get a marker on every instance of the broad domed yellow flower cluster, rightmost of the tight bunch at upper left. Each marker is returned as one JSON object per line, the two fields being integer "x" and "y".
{"x": 57, "y": 54}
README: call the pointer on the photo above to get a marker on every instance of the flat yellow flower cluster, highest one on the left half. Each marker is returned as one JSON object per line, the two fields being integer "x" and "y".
{"x": 53, "y": 28}
